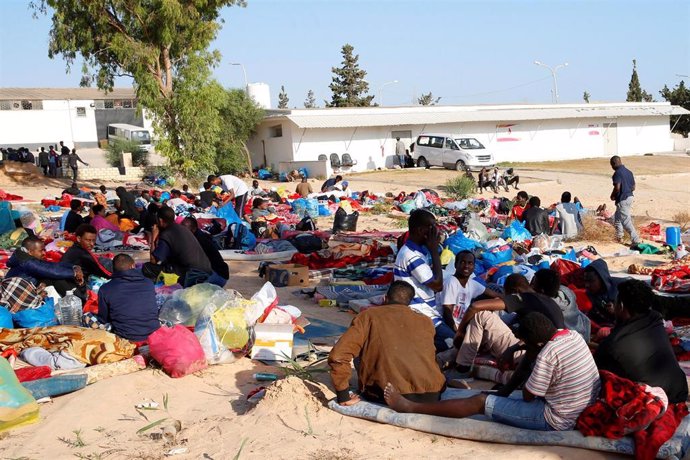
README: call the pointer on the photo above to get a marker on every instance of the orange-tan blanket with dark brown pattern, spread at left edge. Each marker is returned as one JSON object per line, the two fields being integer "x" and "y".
{"x": 90, "y": 346}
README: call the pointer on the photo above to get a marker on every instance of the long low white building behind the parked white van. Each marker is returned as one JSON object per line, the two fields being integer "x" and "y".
{"x": 289, "y": 139}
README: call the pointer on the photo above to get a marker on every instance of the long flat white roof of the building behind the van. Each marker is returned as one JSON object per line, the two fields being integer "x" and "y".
{"x": 419, "y": 115}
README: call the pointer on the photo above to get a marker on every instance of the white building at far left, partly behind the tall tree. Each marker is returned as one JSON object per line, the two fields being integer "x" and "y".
{"x": 38, "y": 117}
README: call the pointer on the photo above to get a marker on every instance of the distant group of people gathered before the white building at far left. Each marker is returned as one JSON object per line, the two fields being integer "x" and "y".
{"x": 52, "y": 163}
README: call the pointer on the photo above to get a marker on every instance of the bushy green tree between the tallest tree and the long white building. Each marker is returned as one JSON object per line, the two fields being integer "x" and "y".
{"x": 240, "y": 116}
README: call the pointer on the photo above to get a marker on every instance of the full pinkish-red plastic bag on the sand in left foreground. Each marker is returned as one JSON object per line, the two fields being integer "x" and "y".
{"x": 177, "y": 350}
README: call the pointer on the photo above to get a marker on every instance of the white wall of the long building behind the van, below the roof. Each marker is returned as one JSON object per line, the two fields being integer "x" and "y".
{"x": 538, "y": 140}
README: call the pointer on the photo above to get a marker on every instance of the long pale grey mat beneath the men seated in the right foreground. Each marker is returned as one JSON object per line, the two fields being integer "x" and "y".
{"x": 479, "y": 428}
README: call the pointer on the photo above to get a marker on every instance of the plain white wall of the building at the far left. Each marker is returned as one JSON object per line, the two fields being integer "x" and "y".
{"x": 57, "y": 121}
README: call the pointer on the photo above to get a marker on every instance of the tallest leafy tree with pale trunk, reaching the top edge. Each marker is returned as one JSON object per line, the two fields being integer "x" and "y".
{"x": 163, "y": 47}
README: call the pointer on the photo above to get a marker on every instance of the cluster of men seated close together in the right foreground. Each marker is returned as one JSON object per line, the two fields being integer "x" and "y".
{"x": 437, "y": 326}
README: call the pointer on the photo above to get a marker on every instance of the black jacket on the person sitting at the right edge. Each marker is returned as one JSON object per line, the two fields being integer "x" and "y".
{"x": 639, "y": 350}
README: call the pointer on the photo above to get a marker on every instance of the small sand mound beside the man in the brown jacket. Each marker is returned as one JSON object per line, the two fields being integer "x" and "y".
{"x": 294, "y": 393}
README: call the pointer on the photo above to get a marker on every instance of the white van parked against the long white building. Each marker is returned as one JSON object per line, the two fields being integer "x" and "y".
{"x": 451, "y": 151}
